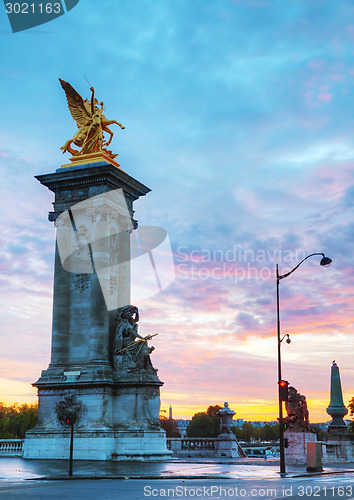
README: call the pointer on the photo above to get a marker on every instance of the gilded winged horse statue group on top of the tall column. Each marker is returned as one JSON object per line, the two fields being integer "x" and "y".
{"x": 91, "y": 123}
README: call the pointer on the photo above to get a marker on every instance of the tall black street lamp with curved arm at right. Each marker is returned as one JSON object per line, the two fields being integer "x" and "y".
{"x": 325, "y": 261}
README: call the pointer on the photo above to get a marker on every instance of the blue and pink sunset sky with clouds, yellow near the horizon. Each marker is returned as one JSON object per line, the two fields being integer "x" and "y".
{"x": 239, "y": 117}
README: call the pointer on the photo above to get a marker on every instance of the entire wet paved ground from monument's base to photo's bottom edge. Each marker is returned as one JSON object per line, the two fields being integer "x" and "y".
{"x": 213, "y": 479}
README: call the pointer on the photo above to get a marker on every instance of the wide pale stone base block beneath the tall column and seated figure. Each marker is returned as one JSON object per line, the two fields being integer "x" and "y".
{"x": 120, "y": 422}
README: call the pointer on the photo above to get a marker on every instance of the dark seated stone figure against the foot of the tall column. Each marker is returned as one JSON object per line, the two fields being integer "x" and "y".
{"x": 130, "y": 350}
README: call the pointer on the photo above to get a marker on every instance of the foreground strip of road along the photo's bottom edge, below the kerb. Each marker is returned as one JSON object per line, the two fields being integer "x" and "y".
{"x": 334, "y": 487}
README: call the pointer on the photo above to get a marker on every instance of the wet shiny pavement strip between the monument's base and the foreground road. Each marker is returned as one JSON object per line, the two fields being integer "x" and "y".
{"x": 15, "y": 468}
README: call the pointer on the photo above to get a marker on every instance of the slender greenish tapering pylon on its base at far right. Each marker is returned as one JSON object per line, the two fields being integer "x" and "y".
{"x": 336, "y": 409}
